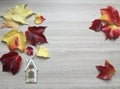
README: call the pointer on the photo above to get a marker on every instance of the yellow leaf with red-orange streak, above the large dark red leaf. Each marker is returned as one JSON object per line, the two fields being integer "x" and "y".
{"x": 15, "y": 40}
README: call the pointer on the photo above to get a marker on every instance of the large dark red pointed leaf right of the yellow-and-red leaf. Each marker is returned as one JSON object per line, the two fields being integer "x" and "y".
{"x": 35, "y": 35}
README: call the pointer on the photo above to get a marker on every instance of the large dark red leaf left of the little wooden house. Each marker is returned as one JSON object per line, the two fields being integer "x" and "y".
{"x": 11, "y": 62}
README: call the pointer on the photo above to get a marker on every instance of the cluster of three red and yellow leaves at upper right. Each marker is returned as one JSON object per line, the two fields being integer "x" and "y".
{"x": 109, "y": 23}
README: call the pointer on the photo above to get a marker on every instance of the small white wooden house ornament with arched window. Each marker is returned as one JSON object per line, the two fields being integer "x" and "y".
{"x": 31, "y": 72}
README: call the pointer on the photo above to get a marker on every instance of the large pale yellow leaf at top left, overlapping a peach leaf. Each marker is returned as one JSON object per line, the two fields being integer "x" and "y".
{"x": 19, "y": 13}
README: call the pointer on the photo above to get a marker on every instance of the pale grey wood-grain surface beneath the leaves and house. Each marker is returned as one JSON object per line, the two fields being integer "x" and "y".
{"x": 74, "y": 49}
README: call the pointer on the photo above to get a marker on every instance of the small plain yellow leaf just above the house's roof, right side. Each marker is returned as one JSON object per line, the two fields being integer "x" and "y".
{"x": 43, "y": 52}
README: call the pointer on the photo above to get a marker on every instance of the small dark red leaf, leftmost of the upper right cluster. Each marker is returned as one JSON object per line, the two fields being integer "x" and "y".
{"x": 96, "y": 25}
